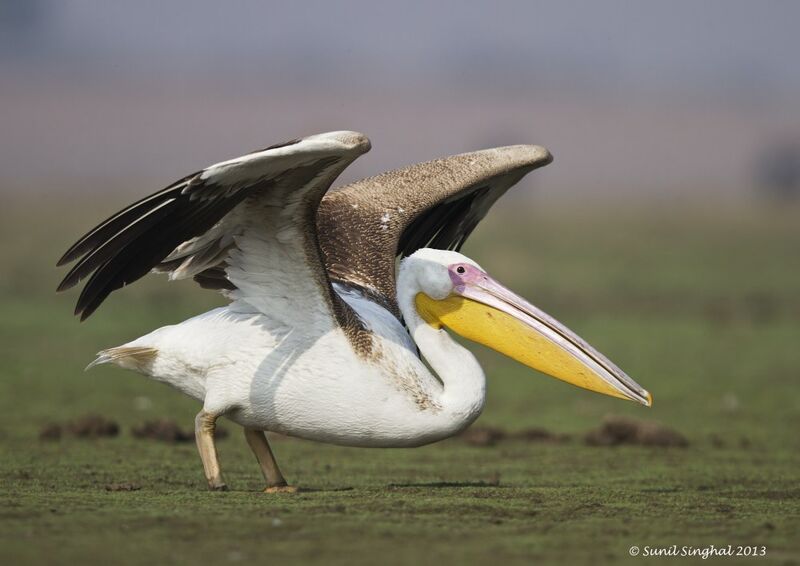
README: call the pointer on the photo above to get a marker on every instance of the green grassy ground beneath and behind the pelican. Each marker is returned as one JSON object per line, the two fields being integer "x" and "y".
{"x": 699, "y": 305}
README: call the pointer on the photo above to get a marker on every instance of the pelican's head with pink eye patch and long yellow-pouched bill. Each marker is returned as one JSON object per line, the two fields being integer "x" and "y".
{"x": 454, "y": 292}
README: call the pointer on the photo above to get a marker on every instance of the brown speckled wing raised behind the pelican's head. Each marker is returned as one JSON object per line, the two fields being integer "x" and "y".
{"x": 365, "y": 226}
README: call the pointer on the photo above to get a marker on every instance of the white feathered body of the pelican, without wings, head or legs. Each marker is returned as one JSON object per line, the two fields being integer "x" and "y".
{"x": 277, "y": 375}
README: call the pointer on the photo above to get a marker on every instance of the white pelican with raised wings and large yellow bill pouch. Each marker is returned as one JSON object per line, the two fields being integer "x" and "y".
{"x": 340, "y": 301}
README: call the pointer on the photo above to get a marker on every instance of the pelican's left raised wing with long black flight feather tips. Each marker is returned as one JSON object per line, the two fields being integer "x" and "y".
{"x": 246, "y": 225}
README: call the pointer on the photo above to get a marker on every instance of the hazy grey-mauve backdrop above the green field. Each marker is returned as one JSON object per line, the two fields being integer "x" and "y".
{"x": 677, "y": 92}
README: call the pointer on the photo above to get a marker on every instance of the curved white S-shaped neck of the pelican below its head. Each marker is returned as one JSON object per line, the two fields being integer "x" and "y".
{"x": 464, "y": 384}
